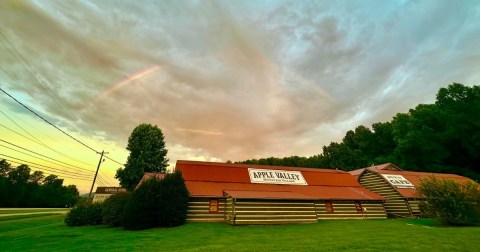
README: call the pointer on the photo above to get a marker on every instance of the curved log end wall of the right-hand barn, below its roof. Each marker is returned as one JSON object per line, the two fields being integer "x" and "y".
{"x": 395, "y": 204}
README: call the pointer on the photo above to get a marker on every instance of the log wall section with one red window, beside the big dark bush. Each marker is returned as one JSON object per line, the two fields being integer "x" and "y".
{"x": 199, "y": 210}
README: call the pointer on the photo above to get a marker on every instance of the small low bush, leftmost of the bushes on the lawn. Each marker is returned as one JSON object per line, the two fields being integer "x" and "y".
{"x": 84, "y": 213}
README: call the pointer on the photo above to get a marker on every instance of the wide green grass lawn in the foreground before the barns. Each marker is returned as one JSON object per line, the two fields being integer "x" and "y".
{"x": 48, "y": 233}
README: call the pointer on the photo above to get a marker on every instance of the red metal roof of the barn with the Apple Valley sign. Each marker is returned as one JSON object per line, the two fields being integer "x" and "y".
{"x": 209, "y": 179}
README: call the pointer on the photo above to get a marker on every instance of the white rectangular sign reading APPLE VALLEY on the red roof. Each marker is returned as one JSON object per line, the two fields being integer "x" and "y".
{"x": 264, "y": 176}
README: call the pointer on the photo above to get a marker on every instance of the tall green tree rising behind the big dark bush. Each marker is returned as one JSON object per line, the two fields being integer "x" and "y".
{"x": 147, "y": 154}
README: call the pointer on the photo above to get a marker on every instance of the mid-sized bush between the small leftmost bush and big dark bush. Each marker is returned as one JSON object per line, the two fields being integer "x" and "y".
{"x": 113, "y": 208}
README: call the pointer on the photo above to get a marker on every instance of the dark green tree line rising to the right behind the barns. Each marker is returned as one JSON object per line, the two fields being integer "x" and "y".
{"x": 441, "y": 137}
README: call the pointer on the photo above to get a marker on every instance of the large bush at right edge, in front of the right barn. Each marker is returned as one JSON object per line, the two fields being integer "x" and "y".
{"x": 450, "y": 202}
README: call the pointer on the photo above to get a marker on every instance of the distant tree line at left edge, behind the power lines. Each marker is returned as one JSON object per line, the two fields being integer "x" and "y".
{"x": 19, "y": 187}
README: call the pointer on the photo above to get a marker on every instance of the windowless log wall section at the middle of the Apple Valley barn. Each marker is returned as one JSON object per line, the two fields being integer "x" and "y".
{"x": 255, "y": 211}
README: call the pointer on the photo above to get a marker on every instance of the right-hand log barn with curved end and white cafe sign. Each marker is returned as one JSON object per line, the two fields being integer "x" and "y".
{"x": 398, "y": 187}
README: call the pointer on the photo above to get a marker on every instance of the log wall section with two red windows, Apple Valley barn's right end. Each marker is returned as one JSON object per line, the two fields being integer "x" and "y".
{"x": 350, "y": 210}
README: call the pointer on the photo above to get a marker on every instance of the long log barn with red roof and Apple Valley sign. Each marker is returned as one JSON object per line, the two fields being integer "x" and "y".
{"x": 252, "y": 194}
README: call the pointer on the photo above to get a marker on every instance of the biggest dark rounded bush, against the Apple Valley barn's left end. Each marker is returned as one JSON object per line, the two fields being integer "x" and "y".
{"x": 158, "y": 203}
